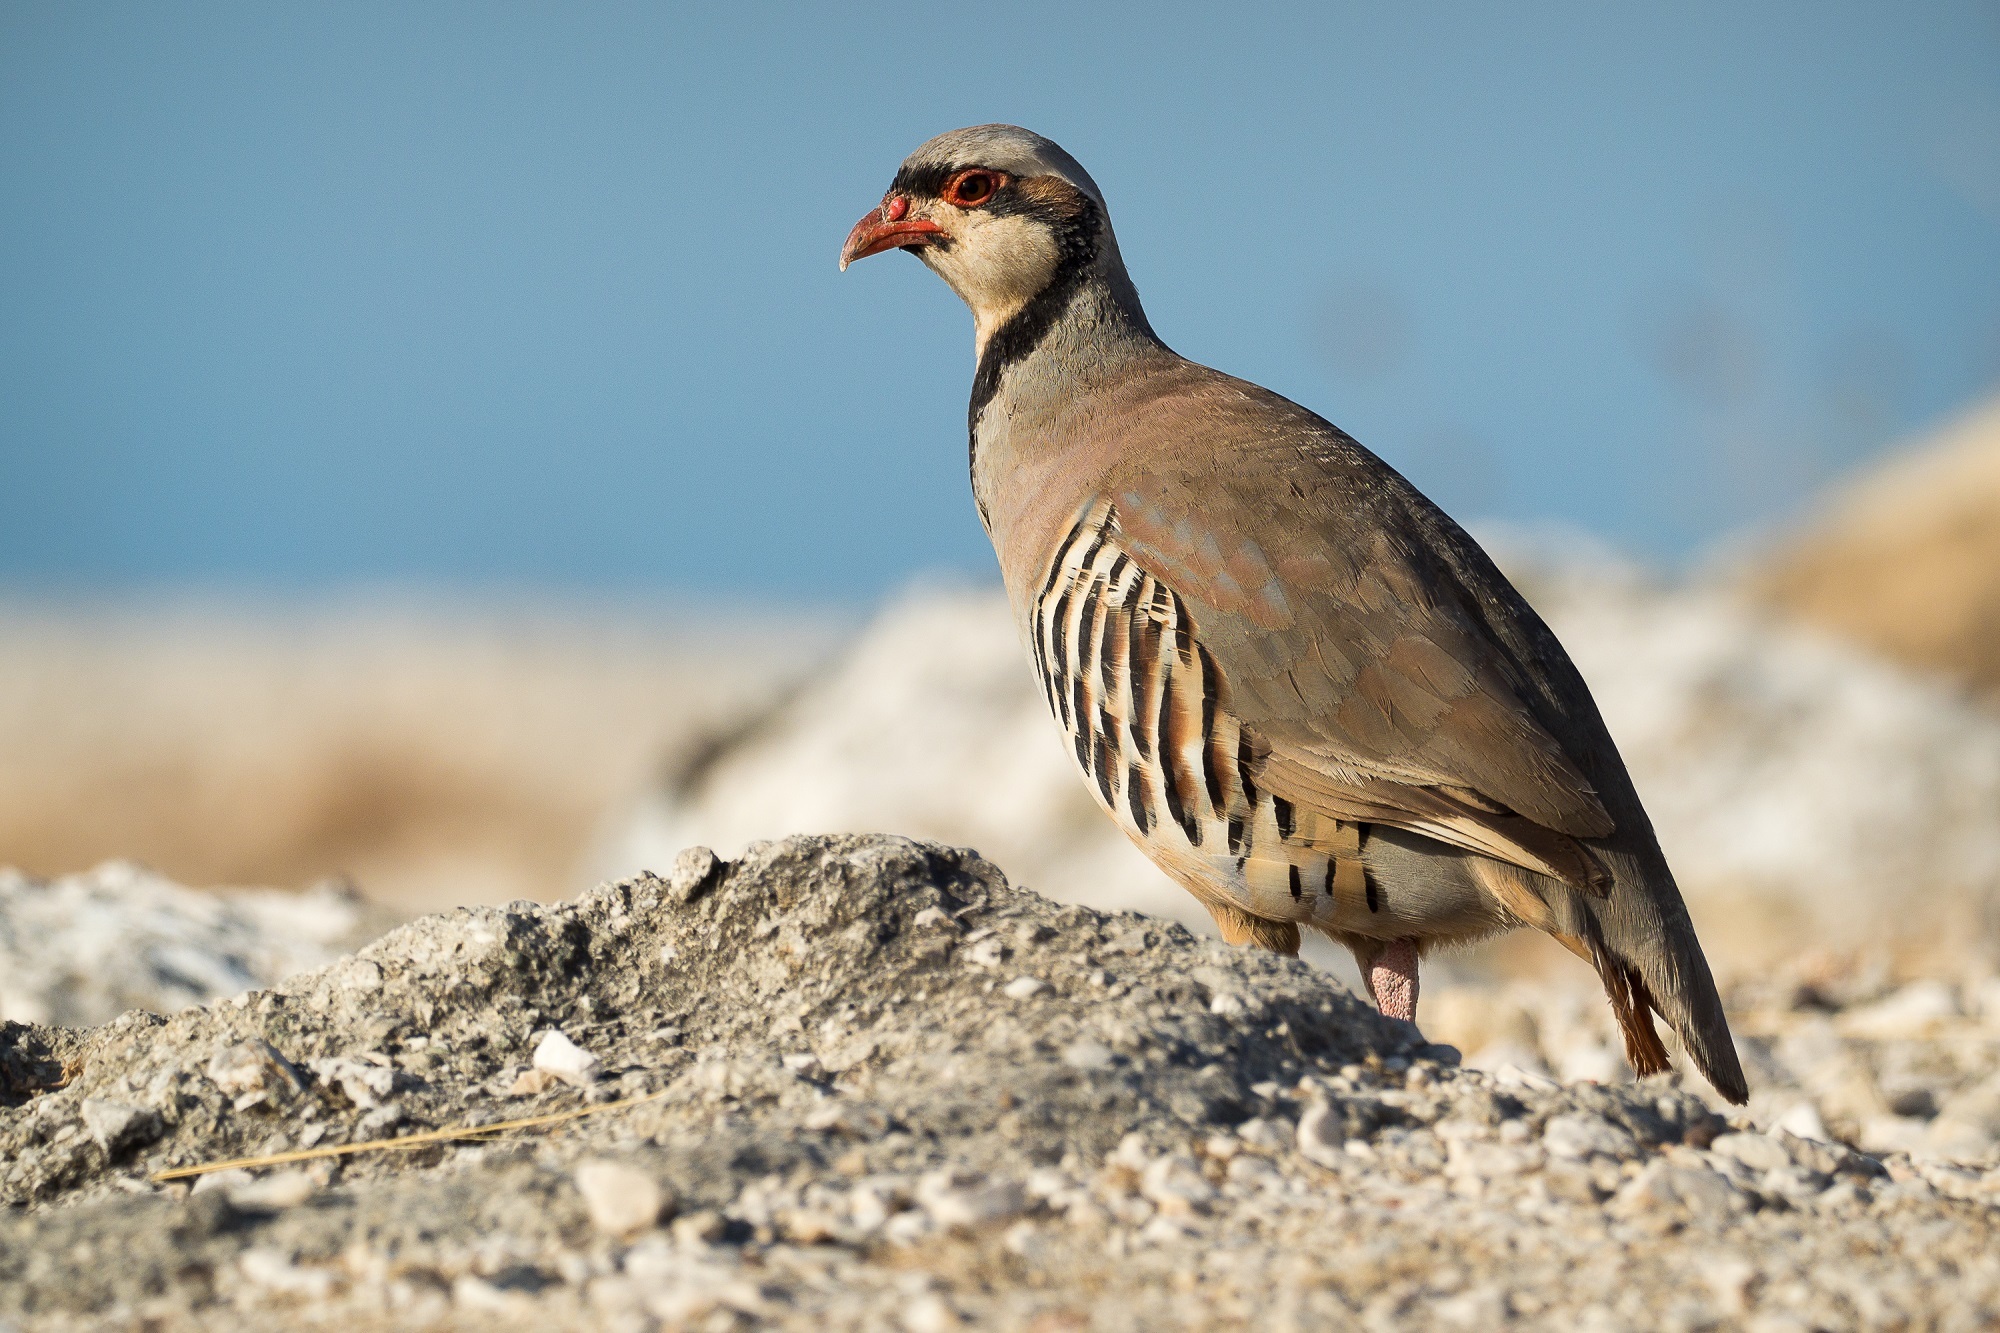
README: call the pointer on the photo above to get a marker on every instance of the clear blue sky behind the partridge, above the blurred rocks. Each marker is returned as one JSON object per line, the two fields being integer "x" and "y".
{"x": 507, "y": 295}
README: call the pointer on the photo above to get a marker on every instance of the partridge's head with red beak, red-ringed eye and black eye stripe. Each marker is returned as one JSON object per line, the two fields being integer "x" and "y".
{"x": 999, "y": 213}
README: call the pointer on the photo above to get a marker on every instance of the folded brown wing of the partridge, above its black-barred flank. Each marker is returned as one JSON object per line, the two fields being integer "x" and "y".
{"x": 1367, "y": 668}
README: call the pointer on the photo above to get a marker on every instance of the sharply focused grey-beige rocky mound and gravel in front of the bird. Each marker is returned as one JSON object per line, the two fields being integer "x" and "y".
{"x": 899, "y": 1094}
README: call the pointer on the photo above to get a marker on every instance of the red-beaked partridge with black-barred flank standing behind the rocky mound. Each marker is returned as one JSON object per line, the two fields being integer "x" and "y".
{"x": 1287, "y": 676}
